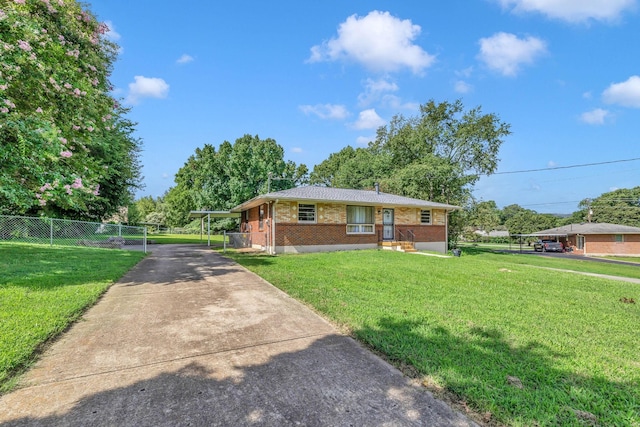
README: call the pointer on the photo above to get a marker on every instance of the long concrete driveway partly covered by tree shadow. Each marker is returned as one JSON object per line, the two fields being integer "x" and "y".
{"x": 190, "y": 338}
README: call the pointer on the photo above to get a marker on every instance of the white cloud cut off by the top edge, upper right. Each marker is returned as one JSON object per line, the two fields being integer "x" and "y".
{"x": 572, "y": 10}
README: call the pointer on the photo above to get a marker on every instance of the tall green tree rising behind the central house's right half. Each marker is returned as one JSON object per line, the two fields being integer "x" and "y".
{"x": 438, "y": 155}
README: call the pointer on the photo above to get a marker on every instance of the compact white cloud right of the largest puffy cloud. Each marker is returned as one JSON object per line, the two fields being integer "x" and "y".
{"x": 506, "y": 53}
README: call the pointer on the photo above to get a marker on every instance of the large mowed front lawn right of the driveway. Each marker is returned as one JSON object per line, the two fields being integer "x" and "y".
{"x": 513, "y": 343}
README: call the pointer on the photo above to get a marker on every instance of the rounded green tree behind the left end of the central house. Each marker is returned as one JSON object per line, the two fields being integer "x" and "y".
{"x": 221, "y": 179}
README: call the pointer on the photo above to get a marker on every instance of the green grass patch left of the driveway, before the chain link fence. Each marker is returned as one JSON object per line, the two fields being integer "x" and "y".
{"x": 42, "y": 290}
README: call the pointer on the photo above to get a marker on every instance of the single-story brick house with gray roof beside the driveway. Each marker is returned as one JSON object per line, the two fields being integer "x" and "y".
{"x": 316, "y": 219}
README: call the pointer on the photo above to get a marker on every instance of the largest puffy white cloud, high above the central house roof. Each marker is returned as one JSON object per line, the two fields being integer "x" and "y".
{"x": 378, "y": 41}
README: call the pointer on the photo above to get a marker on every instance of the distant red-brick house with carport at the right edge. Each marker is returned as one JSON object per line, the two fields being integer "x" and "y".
{"x": 596, "y": 239}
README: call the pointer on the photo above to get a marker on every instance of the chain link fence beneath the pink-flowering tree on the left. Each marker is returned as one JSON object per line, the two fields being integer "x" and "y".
{"x": 65, "y": 232}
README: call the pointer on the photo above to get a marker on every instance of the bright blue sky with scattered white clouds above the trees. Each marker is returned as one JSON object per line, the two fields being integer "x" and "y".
{"x": 317, "y": 76}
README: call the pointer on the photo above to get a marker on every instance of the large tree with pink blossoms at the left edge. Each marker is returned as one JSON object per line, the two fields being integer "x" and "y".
{"x": 66, "y": 147}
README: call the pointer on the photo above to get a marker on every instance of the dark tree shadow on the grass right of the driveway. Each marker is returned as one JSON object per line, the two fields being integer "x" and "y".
{"x": 518, "y": 385}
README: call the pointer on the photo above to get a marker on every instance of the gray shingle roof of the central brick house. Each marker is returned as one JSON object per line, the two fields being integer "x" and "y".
{"x": 342, "y": 195}
